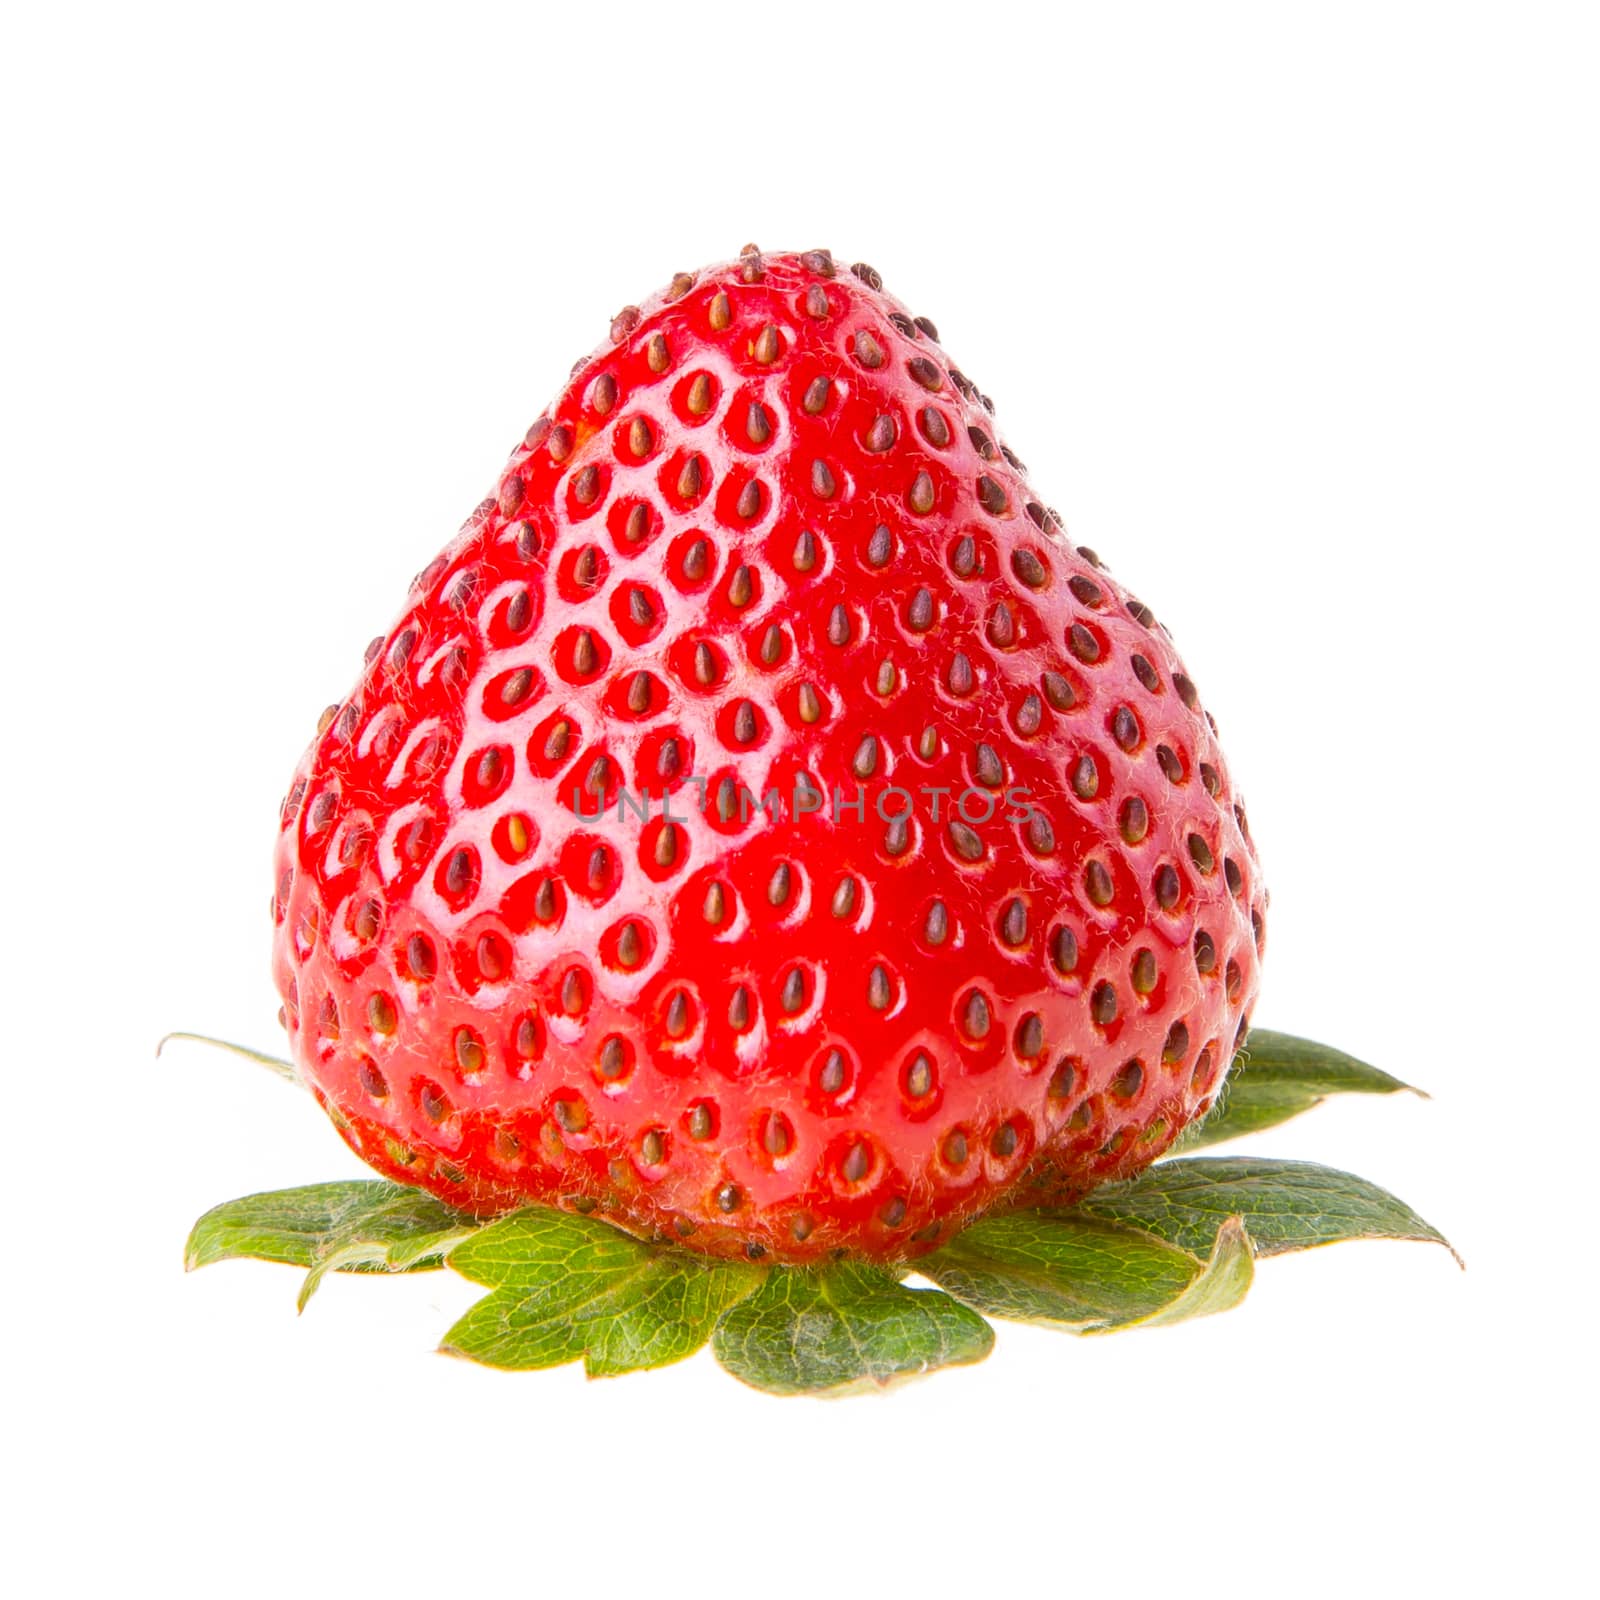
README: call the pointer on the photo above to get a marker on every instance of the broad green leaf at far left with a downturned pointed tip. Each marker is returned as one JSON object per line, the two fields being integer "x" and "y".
{"x": 351, "y": 1226}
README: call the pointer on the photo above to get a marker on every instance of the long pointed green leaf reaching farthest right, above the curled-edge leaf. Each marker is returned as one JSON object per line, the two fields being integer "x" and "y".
{"x": 1287, "y": 1206}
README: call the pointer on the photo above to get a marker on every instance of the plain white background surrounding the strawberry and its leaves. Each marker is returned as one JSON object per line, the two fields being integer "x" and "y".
{"x": 1292, "y": 311}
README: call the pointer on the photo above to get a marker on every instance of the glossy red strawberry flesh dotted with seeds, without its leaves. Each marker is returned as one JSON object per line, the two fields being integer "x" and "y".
{"x": 766, "y": 540}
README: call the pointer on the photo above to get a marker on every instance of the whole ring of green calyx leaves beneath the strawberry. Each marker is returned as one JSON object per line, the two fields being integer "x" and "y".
{"x": 1177, "y": 1242}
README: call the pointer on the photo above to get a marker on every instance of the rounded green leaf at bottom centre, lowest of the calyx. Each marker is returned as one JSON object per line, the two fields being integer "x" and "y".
{"x": 841, "y": 1329}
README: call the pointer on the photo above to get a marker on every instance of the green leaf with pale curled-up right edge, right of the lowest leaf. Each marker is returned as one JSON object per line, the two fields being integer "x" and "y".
{"x": 1086, "y": 1274}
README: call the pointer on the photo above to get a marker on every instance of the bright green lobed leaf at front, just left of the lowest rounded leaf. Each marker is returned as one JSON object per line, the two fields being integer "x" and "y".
{"x": 569, "y": 1287}
